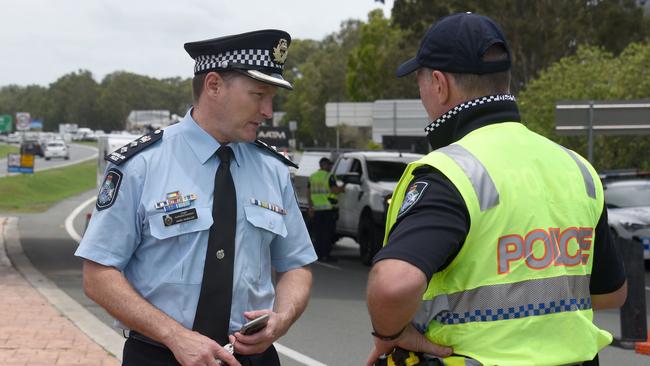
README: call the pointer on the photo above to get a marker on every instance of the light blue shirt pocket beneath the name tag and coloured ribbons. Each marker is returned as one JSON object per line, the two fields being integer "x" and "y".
{"x": 179, "y": 241}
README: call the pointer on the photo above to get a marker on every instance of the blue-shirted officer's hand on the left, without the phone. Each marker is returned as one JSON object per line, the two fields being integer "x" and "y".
{"x": 194, "y": 349}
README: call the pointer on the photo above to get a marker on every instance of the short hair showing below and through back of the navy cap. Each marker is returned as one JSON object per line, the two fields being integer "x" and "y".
{"x": 474, "y": 85}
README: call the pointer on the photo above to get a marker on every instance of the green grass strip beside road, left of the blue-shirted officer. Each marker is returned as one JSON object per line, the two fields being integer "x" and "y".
{"x": 39, "y": 191}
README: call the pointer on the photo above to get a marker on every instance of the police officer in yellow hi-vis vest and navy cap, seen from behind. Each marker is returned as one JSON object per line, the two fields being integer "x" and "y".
{"x": 497, "y": 249}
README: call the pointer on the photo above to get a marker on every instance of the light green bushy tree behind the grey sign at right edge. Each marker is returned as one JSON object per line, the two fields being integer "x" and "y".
{"x": 592, "y": 74}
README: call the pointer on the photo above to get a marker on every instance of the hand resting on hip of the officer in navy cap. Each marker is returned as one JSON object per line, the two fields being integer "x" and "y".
{"x": 411, "y": 340}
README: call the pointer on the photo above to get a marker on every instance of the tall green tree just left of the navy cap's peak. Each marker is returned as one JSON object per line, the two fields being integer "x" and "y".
{"x": 372, "y": 64}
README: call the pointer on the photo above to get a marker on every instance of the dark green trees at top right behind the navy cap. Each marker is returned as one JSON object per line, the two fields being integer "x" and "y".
{"x": 539, "y": 32}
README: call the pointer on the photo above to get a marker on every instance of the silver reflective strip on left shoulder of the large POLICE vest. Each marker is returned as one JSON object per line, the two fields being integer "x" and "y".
{"x": 484, "y": 187}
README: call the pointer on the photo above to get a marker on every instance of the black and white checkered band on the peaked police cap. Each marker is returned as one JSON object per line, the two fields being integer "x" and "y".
{"x": 252, "y": 57}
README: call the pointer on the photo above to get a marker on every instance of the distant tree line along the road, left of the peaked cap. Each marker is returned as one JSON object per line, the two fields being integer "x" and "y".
{"x": 77, "y": 98}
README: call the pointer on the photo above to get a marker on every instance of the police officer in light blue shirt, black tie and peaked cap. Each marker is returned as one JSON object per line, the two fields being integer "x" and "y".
{"x": 192, "y": 221}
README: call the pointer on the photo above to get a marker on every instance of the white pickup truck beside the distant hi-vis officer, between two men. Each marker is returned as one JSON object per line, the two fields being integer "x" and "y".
{"x": 370, "y": 178}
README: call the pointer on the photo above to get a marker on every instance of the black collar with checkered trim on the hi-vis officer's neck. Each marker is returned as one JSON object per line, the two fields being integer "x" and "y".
{"x": 469, "y": 116}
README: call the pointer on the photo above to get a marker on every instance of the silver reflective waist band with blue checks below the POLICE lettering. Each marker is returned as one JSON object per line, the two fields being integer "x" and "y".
{"x": 508, "y": 301}
